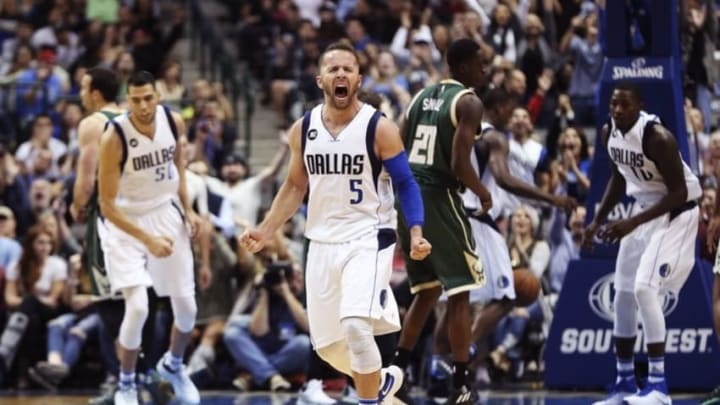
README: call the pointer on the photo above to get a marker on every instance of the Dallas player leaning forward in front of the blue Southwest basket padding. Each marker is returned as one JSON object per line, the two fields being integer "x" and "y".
{"x": 657, "y": 245}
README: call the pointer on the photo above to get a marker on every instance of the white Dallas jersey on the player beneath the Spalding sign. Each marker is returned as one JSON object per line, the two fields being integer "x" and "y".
{"x": 642, "y": 178}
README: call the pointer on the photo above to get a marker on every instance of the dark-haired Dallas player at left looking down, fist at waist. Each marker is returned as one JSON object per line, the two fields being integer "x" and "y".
{"x": 145, "y": 234}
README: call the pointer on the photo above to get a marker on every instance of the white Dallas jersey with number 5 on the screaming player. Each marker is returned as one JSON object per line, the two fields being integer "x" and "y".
{"x": 350, "y": 193}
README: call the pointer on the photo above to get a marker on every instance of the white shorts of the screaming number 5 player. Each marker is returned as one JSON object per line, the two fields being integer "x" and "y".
{"x": 350, "y": 279}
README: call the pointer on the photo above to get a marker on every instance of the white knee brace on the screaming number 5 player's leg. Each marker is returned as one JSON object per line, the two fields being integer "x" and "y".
{"x": 364, "y": 353}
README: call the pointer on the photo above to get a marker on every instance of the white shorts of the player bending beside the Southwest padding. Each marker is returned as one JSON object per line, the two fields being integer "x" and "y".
{"x": 659, "y": 253}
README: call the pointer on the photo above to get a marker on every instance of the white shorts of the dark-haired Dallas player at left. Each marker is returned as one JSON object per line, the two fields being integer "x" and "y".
{"x": 129, "y": 263}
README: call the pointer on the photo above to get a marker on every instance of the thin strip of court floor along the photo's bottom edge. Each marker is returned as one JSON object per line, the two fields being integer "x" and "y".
{"x": 263, "y": 398}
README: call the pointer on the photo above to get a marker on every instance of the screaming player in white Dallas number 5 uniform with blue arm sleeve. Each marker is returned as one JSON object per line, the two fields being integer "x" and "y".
{"x": 344, "y": 151}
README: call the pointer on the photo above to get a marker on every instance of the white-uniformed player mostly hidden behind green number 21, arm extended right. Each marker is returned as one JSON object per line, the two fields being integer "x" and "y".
{"x": 489, "y": 159}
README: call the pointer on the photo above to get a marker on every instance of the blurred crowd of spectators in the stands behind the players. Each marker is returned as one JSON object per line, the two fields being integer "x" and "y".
{"x": 252, "y": 328}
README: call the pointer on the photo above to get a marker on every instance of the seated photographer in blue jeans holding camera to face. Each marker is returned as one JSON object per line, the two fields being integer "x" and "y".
{"x": 270, "y": 340}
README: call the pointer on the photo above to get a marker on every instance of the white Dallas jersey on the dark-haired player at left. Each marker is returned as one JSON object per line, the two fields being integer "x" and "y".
{"x": 149, "y": 177}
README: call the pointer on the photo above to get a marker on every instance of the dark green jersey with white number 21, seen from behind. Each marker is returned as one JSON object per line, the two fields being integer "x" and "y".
{"x": 429, "y": 131}
